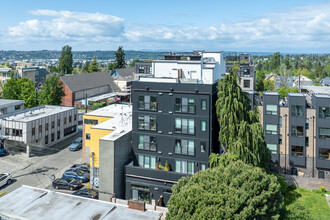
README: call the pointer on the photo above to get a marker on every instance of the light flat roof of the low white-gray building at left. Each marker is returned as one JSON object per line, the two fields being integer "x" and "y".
{"x": 35, "y": 113}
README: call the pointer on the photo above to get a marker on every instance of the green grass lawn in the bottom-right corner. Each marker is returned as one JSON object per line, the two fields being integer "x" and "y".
{"x": 313, "y": 200}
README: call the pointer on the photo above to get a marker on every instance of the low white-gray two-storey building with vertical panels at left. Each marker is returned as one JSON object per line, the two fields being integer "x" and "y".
{"x": 38, "y": 128}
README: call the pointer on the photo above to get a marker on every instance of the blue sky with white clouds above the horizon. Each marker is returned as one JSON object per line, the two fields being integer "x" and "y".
{"x": 288, "y": 26}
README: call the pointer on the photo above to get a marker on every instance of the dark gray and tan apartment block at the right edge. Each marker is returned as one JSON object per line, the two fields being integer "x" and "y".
{"x": 298, "y": 133}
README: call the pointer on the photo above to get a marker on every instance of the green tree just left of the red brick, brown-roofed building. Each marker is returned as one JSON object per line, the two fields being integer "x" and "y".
{"x": 52, "y": 91}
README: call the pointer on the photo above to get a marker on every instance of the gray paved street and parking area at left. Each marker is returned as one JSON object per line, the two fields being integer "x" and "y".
{"x": 35, "y": 171}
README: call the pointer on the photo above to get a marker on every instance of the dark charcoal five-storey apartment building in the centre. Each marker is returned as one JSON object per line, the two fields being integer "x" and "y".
{"x": 173, "y": 123}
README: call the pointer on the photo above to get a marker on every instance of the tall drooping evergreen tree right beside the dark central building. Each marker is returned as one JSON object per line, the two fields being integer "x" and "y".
{"x": 240, "y": 129}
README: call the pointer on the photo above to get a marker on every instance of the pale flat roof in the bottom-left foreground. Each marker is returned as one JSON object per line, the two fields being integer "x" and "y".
{"x": 33, "y": 203}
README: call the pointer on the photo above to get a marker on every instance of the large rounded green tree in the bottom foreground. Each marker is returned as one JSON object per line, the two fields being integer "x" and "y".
{"x": 236, "y": 191}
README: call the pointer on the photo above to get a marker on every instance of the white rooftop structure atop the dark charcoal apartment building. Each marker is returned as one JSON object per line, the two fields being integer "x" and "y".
{"x": 207, "y": 70}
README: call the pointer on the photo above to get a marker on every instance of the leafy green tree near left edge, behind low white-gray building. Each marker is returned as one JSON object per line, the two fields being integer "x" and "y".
{"x": 20, "y": 89}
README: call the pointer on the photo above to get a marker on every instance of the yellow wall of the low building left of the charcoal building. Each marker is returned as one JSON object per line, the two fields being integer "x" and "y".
{"x": 95, "y": 135}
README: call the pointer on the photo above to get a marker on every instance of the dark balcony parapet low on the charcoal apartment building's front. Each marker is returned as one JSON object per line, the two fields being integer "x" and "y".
{"x": 145, "y": 173}
